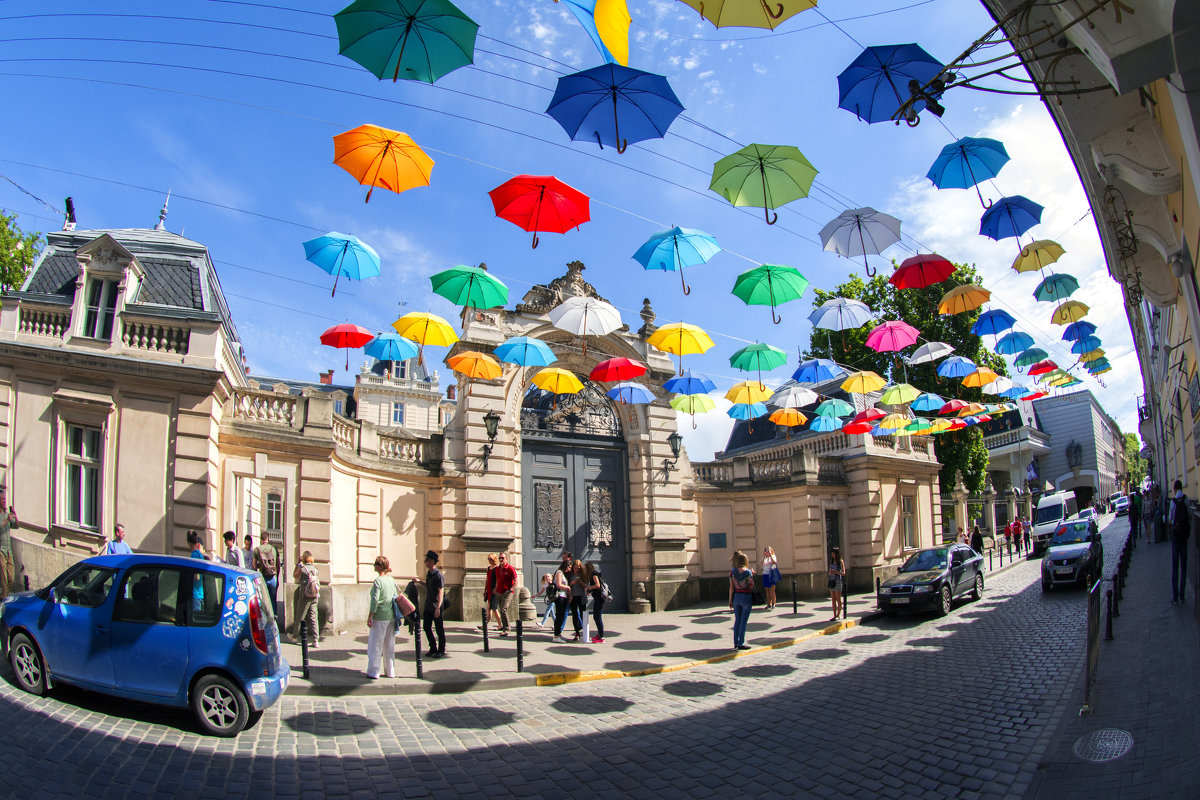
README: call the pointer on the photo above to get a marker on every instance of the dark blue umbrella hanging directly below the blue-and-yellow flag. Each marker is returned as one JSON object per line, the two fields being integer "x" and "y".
{"x": 615, "y": 106}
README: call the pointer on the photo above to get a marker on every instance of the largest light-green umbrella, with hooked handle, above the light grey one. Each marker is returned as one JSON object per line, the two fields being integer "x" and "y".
{"x": 764, "y": 177}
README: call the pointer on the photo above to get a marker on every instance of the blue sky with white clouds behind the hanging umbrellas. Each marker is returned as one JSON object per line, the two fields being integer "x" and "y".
{"x": 232, "y": 106}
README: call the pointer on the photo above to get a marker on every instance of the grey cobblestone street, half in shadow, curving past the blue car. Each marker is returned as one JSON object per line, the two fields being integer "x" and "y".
{"x": 961, "y": 707}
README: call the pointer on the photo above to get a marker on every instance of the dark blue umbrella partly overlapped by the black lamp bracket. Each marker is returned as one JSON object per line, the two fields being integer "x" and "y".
{"x": 875, "y": 86}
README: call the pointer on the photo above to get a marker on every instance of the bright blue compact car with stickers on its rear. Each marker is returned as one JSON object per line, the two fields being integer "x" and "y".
{"x": 159, "y": 629}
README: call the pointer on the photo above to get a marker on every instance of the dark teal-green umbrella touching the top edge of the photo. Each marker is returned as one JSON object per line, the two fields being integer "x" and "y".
{"x": 416, "y": 40}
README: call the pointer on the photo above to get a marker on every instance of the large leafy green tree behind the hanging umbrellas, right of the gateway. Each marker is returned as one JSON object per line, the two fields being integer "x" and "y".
{"x": 959, "y": 452}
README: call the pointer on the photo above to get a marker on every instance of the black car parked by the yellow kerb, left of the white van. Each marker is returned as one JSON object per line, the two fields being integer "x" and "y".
{"x": 933, "y": 579}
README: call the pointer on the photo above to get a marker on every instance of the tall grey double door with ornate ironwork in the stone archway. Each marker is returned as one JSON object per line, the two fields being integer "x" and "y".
{"x": 574, "y": 489}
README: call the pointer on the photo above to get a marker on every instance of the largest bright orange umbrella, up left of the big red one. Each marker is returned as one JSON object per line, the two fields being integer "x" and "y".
{"x": 377, "y": 157}
